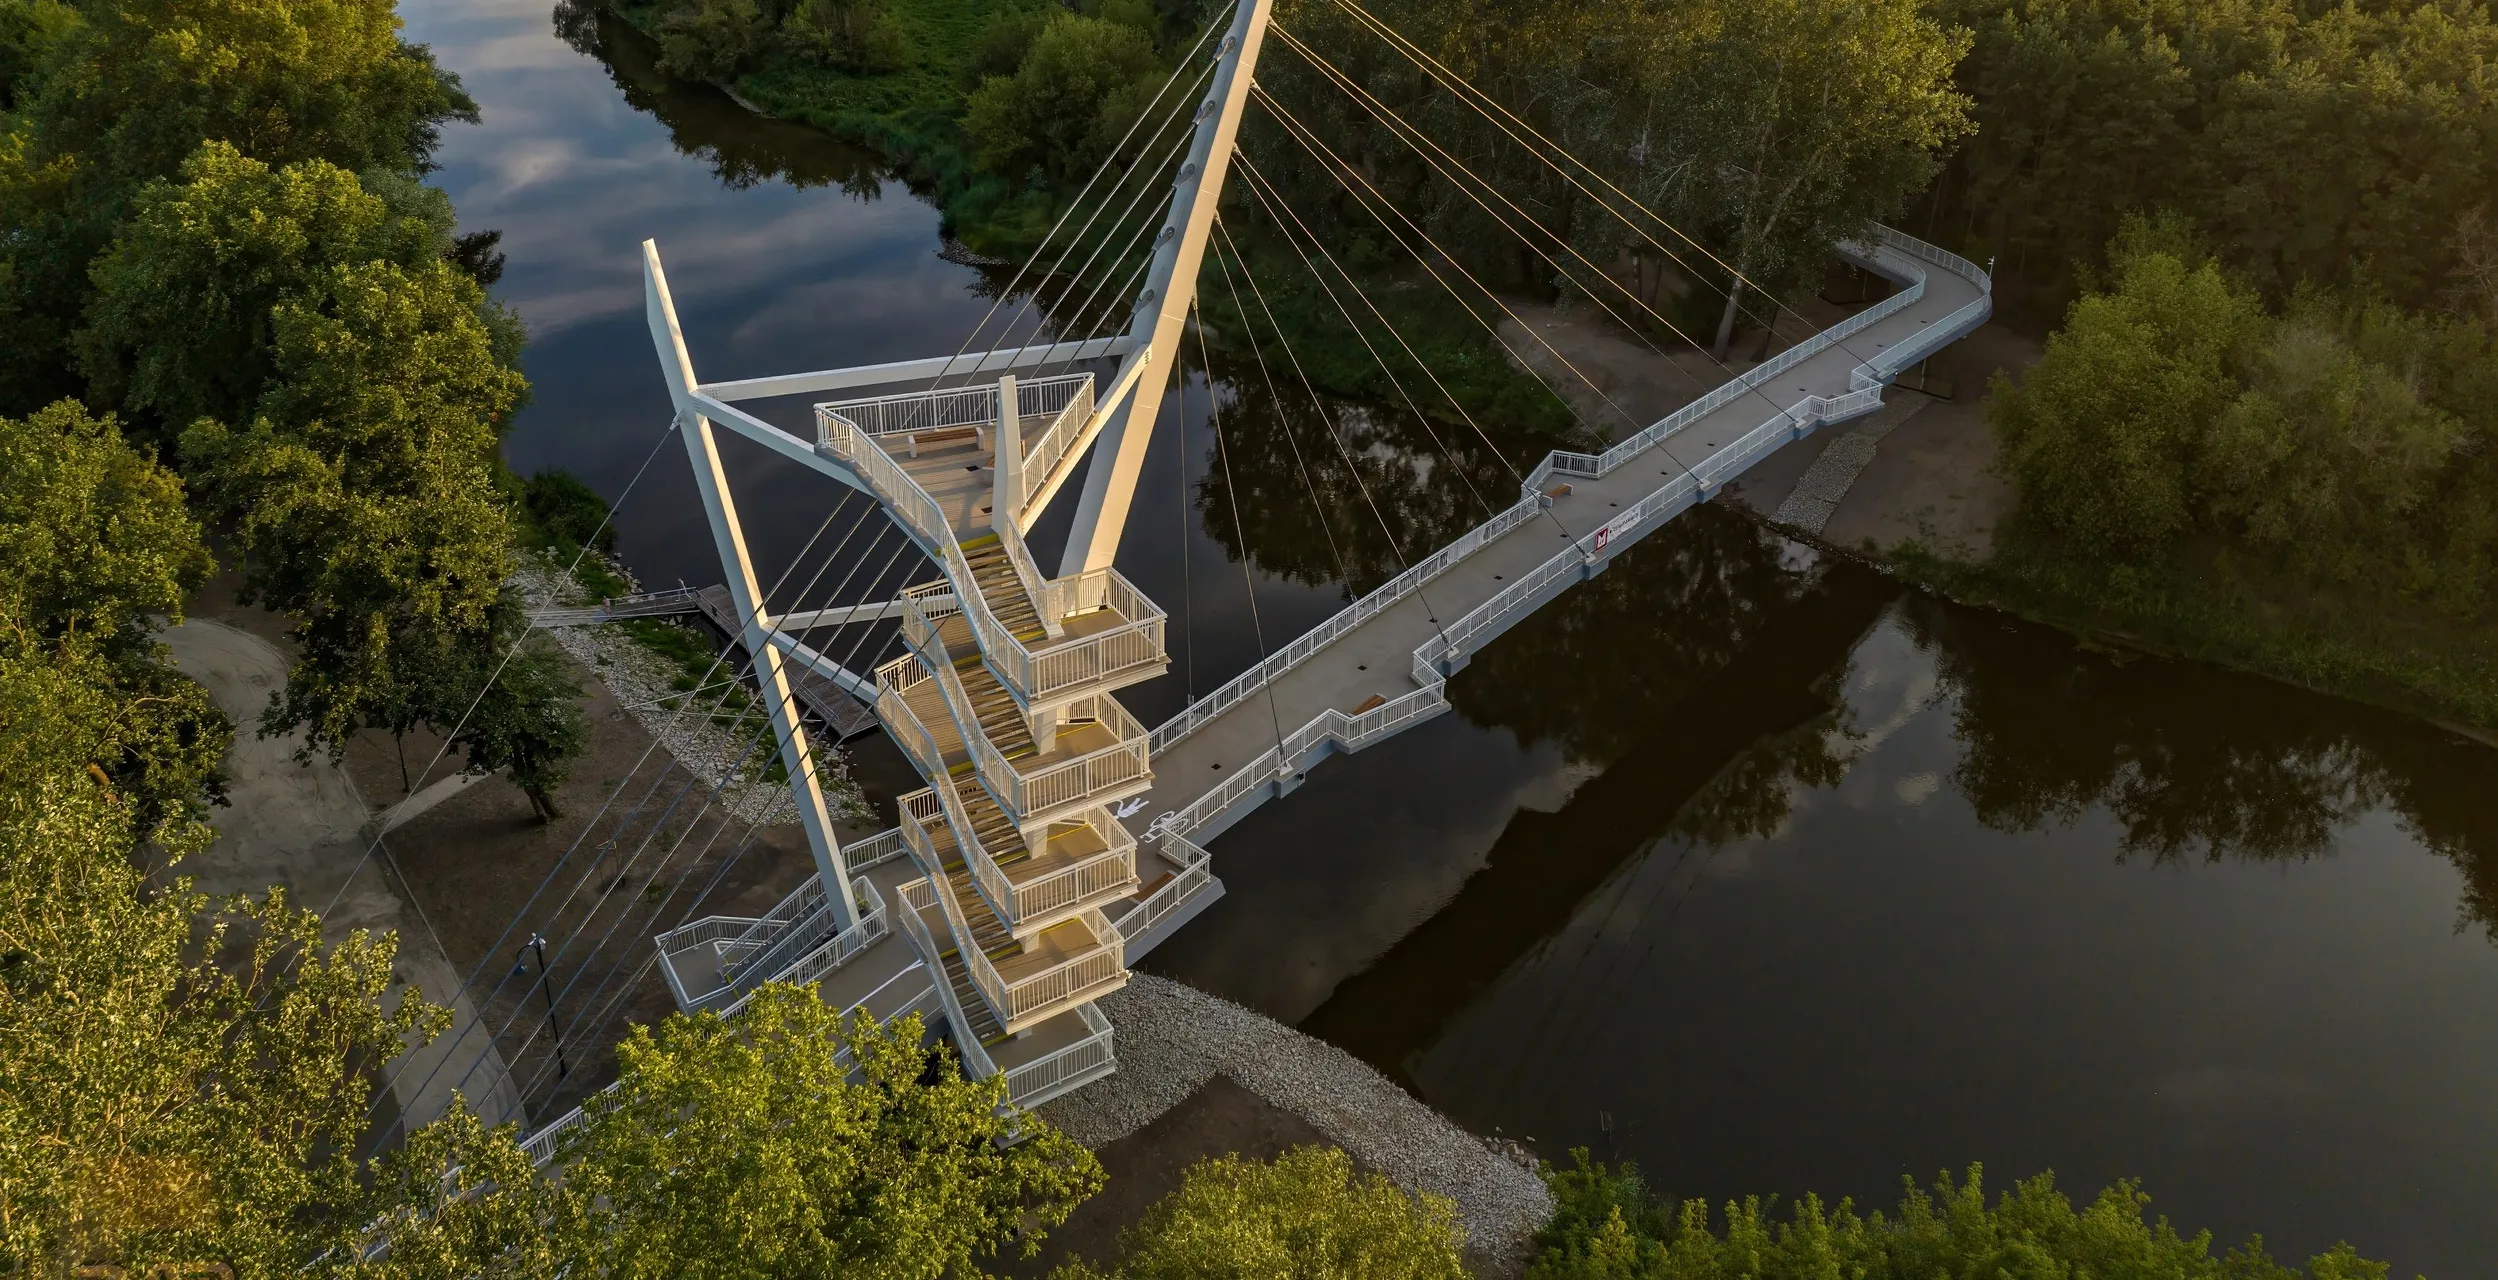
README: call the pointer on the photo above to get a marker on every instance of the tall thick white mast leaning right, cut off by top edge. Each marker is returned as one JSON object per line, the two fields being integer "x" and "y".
{"x": 1163, "y": 311}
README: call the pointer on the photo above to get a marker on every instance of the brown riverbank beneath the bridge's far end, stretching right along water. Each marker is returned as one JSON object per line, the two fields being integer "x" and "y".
{"x": 1915, "y": 491}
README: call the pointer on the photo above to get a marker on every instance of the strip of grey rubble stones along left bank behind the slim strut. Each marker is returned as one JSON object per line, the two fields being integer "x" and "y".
{"x": 696, "y": 741}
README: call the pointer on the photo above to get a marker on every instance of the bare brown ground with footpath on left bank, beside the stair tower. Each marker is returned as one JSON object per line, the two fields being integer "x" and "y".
{"x": 473, "y": 879}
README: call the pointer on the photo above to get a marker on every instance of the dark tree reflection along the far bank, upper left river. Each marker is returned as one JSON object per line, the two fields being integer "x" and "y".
{"x": 706, "y": 124}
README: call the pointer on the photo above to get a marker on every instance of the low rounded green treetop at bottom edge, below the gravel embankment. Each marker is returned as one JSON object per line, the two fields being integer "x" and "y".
{"x": 1303, "y": 1216}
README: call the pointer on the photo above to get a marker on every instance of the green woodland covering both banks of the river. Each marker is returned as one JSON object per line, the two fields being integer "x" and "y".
{"x": 236, "y": 324}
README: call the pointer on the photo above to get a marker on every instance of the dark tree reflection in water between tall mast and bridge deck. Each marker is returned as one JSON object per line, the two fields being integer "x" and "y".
{"x": 1318, "y": 504}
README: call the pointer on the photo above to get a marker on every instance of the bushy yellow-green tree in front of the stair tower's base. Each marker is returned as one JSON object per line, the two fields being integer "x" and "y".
{"x": 783, "y": 1141}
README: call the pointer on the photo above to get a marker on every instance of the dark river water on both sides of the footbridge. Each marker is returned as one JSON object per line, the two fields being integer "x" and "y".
{"x": 1737, "y": 864}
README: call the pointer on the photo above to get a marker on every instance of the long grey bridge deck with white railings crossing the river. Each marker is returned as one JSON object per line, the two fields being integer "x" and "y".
{"x": 1380, "y": 666}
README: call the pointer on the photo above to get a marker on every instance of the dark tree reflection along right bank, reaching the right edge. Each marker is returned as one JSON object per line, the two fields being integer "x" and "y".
{"x": 2199, "y": 761}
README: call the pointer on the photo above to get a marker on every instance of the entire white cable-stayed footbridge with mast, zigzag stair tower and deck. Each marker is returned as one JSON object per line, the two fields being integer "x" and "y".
{"x": 1058, "y": 841}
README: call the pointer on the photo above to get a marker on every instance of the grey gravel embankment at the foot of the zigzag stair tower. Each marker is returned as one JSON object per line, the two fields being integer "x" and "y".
{"x": 1175, "y": 1039}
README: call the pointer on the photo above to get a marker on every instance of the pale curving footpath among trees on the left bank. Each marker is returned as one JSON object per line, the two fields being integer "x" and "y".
{"x": 304, "y": 826}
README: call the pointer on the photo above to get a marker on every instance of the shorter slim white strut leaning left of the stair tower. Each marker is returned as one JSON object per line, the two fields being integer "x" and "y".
{"x": 746, "y": 594}
